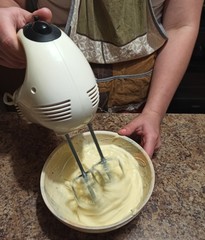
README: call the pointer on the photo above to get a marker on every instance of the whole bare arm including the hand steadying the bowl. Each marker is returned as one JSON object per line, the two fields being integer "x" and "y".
{"x": 181, "y": 21}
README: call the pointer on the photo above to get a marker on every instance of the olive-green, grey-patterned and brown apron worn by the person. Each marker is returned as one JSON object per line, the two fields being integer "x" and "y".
{"x": 120, "y": 39}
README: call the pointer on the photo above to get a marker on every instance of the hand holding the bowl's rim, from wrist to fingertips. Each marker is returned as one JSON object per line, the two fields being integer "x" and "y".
{"x": 147, "y": 127}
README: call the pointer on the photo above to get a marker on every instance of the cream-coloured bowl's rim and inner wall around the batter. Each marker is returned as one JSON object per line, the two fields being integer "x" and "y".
{"x": 57, "y": 164}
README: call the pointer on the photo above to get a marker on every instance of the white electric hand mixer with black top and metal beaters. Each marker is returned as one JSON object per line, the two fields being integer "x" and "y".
{"x": 59, "y": 91}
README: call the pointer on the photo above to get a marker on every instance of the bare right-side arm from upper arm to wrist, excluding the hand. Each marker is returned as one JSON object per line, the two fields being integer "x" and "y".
{"x": 181, "y": 22}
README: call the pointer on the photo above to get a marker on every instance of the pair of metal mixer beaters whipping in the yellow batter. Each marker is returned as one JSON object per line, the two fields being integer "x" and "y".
{"x": 87, "y": 185}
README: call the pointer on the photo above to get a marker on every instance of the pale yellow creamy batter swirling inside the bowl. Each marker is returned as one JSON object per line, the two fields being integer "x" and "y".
{"x": 117, "y": 194}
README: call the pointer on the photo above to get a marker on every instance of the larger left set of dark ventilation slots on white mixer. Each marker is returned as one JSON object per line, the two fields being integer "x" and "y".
{"x": 55, "y": 112}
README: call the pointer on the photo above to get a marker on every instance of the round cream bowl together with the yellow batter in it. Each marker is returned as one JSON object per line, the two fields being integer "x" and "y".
{"x": 114, "y": 194}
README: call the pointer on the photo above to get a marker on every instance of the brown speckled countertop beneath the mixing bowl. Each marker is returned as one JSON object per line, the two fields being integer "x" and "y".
{"x": 176, "y": 209}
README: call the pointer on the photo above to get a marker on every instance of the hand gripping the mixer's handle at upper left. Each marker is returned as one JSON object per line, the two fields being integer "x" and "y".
{"x": 11, "y": 20}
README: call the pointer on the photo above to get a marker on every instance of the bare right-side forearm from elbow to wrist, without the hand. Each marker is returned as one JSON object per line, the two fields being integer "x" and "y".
{"x": 170, "y": 67}
